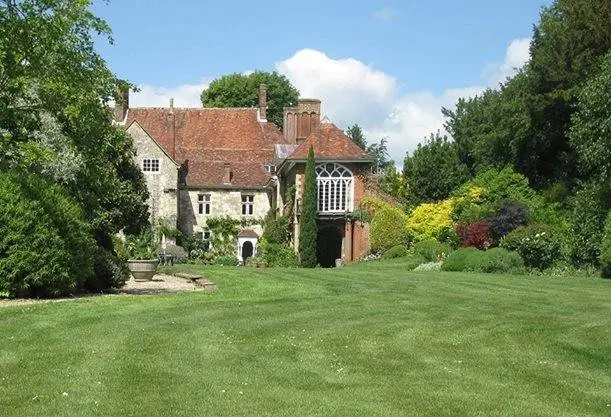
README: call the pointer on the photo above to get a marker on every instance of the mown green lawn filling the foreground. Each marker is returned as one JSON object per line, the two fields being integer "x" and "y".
{"x": 366, "y": 340}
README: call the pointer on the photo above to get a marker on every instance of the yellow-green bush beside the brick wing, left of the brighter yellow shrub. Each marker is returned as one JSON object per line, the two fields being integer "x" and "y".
{"x": 388, "y": 225}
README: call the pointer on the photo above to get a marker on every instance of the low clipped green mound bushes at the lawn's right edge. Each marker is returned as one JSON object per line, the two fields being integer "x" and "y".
{"x": 495, "y": 260}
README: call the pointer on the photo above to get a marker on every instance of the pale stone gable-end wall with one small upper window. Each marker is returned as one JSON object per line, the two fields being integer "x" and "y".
{"x": 163, "y": 201}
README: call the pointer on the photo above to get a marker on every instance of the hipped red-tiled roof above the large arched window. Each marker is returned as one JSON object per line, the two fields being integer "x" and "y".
{"x": 329, "y": 142}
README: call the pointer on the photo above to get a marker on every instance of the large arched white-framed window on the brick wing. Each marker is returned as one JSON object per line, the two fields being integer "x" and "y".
{"x": 335, "y": 188}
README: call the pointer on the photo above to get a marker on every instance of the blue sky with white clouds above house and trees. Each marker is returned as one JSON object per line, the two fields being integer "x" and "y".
{"x": 388, "y": 65}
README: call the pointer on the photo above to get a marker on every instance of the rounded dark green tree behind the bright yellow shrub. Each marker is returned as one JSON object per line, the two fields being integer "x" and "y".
{"x": 433, "y": 170}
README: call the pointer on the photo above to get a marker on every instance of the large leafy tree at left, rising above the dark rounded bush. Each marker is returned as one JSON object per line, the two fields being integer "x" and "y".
{"x": 54, "y": 114}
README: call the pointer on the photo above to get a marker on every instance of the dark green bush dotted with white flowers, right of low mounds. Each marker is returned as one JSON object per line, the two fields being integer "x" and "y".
{"x": 538, "y": 245}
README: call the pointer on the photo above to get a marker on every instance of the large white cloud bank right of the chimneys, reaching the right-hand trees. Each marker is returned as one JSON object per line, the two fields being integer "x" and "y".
{"x": 354, "y": 92}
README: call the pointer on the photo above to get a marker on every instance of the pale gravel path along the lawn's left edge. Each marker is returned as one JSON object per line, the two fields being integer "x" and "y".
{"x": 161, "y": 284}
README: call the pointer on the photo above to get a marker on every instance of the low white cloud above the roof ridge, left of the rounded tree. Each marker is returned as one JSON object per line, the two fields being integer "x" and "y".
{"x": 186, "y": 95}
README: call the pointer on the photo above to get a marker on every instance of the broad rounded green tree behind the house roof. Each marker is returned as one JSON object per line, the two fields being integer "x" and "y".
{"x": 240, "y": 90}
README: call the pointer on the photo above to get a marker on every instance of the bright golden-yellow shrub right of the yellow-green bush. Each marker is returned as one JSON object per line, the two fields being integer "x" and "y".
{"x": 432, "y": 220}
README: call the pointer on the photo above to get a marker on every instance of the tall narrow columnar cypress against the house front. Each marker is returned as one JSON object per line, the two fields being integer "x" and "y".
{"x": 307, "y": 222}
